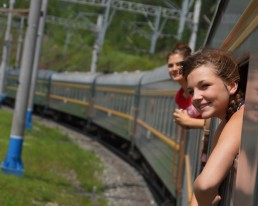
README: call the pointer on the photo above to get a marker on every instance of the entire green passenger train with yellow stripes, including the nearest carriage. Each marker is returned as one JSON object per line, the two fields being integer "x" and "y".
{"x": 137, "y": 107}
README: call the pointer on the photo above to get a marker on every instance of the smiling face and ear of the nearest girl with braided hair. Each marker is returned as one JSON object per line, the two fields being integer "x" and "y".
{"x": 210, "y": 95}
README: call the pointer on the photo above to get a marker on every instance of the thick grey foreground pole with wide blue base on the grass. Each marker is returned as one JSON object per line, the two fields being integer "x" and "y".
{"x": 12, "y": 163}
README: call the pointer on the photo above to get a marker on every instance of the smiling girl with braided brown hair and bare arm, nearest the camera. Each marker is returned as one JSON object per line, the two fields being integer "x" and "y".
{"x": 212, "y": 81}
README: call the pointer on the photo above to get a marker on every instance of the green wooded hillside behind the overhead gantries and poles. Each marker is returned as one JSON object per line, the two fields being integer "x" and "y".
{"x": 127, "y": 40}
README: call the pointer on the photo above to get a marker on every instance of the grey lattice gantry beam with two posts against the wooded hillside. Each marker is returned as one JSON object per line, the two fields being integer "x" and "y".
{"x": 138, "y": 8}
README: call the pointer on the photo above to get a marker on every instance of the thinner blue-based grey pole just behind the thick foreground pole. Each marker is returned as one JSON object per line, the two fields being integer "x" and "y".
{"x": 36, "y": 63}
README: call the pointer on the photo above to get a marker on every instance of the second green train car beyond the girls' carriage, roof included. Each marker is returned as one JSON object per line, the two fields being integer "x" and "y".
{"x": 115, "y": 97}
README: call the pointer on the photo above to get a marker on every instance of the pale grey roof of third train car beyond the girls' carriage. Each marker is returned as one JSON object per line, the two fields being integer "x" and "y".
{"x": 79, "y": 77}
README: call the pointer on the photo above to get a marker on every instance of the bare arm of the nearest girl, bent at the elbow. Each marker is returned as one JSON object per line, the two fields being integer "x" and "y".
{"x": 221, "y": 159}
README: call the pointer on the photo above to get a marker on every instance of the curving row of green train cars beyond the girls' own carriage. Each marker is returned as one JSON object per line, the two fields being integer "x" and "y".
{"x": 136, "y": 107}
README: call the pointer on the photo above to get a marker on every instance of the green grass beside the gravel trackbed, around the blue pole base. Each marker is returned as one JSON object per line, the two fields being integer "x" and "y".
{"x": 56, "y": 171}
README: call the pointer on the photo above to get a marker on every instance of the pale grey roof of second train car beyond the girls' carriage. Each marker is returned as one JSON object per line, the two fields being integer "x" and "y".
{"x": 123, "y": 78}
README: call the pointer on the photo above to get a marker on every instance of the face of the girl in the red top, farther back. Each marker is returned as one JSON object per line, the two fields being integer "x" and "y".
{"x": 174, "y": 67}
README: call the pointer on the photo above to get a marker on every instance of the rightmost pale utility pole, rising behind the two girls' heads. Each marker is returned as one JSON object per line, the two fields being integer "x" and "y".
{"x": 196, "y": 17}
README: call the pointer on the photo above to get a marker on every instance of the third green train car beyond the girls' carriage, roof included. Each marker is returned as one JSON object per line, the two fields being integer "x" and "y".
{"x": 72, "y": 93}
